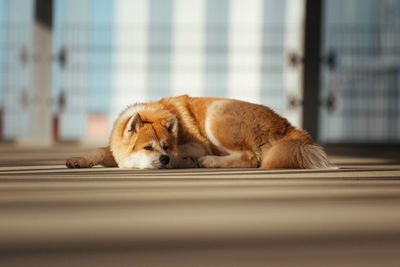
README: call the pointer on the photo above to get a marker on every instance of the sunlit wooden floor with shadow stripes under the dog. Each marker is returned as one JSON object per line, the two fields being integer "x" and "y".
{"x": 54, "y": 216}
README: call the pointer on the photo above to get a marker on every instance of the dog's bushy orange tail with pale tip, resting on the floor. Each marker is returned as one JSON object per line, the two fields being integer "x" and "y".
{"x": 295, "y": 150}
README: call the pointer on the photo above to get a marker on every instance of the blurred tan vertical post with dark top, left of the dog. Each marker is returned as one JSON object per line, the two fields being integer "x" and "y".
{"x": 42, "y": 56}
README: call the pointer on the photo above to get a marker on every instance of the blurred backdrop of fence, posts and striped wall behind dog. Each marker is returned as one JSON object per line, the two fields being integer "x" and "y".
{"x": 68, "y": 67}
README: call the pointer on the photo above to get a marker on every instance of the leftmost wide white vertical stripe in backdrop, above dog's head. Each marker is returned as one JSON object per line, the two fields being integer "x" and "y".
{"x": 135, "y": 13}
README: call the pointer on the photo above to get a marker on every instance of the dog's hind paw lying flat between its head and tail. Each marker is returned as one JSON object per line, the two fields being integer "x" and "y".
{"x": 237, "y": 159}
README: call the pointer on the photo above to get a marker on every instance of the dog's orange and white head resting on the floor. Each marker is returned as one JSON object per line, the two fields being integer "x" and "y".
{"x": 146, "y": 141}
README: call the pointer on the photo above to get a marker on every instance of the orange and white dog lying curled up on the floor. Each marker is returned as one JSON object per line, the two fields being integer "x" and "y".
{"x": 191, "y": 132}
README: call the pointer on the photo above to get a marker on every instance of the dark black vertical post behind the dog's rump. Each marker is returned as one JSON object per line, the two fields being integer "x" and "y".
{"x": 311, "y": 78}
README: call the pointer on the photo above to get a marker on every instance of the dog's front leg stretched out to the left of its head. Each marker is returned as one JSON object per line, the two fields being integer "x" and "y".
{"x": 101, "y": 156}
